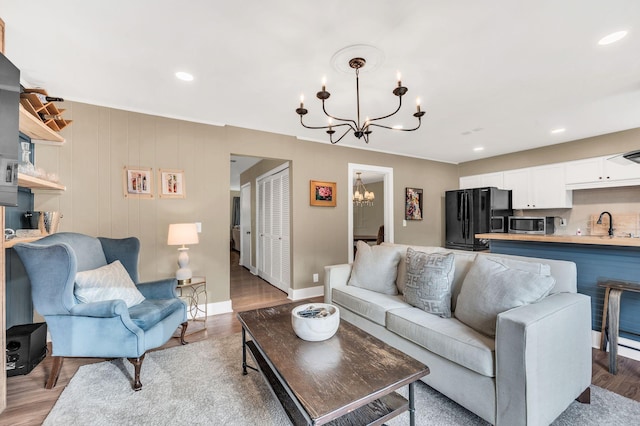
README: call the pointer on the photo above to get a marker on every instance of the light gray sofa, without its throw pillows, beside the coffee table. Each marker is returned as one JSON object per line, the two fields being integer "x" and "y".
{"x": 537, "y": 364}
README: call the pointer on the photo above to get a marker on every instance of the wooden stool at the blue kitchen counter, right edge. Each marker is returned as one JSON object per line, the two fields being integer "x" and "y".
{"x": 611, "y": 310}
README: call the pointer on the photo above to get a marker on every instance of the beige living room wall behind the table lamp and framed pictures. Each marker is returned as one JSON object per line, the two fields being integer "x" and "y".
{"x": 101, "y": 141}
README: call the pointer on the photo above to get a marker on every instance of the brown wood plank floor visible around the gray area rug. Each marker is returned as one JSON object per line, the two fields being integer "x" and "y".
{"x": 28, "y": 403}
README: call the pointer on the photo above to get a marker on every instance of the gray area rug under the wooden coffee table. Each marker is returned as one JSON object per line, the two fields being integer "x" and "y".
{"x": 202, "y": 384}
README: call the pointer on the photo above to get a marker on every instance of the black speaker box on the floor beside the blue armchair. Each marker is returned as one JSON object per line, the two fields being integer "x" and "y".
{"x": 26, "y": 347}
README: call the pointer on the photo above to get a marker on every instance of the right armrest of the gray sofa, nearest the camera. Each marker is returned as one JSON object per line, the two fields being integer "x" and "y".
{"x": 543, "y": 358}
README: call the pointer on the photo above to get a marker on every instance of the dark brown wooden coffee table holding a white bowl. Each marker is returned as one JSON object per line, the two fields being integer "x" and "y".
{"x": 350, "y": 378}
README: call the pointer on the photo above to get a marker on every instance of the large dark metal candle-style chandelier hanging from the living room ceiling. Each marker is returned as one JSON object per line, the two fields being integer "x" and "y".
{"x": 360, "y": 129}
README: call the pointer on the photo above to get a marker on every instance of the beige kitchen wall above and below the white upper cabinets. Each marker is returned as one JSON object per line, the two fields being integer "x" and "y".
{"x": 623, "y": 202}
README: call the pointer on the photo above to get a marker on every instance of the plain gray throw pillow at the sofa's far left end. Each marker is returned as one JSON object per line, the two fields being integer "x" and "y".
{"x": 375, "y": 268}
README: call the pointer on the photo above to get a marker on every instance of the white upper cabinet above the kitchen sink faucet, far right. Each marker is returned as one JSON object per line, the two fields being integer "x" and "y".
{"x": 601, "y": 172}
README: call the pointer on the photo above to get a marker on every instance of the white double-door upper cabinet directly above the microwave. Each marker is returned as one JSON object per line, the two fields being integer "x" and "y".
{"x": 538, "y": 187}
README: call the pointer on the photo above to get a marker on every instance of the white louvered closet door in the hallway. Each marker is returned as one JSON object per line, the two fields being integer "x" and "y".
{"x": 273, "y": 209}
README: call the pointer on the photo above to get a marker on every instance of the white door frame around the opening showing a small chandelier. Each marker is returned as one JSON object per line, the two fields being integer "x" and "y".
{"x": 386, "y": 174}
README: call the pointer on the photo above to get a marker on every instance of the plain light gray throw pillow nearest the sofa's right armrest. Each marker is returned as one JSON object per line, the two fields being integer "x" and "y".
{"x": 491, "y": 287}
